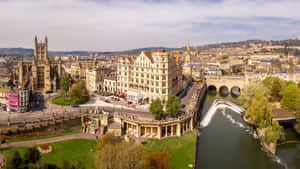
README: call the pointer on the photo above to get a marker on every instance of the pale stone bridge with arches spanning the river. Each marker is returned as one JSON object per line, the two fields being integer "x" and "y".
{"x": 226, "y": 82}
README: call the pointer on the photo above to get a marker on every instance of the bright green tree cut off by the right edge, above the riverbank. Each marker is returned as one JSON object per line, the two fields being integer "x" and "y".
{"x": 290, "y": 97}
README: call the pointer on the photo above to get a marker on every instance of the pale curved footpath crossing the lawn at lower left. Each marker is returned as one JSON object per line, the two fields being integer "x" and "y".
{"x": 49, "y": 140}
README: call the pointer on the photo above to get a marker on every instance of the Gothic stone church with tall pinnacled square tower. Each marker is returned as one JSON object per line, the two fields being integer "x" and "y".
{"x": 41, "y": 74}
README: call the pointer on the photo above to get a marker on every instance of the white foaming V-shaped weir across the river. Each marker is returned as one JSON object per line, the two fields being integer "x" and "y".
{"x": 217, "y": 104}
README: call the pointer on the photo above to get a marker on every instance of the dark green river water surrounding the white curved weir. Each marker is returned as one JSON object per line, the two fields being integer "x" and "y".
{"x": 228, "y": 143}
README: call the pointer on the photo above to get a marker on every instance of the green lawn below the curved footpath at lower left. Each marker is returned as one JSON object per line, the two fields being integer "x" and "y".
{"x": 71, "y": 150}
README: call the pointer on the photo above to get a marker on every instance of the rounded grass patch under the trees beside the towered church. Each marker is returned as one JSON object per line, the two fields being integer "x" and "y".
{"x": 61, "y": 100}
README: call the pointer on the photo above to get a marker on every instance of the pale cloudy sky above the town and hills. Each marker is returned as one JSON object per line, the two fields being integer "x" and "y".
{"x": 111, "y": 25}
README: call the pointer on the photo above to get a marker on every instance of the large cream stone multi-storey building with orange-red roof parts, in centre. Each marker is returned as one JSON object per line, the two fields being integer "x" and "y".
{"x": 149, "y": 76}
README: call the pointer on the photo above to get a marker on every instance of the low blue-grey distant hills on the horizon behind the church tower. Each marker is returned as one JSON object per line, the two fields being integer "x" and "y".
{"x": 29, "y": 52}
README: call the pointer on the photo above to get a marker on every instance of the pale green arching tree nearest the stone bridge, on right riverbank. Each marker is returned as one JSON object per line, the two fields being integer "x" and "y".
{"x": 250, "y": 91}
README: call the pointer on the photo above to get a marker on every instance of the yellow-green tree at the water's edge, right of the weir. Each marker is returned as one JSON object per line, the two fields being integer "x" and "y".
{"x": 259, "y": 110}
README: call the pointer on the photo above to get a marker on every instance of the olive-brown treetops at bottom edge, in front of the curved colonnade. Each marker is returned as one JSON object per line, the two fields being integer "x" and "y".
{"x": 112, "y": 152}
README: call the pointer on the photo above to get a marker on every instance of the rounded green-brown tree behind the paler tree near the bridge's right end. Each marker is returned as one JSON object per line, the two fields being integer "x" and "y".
{"x": 274, "y": 84}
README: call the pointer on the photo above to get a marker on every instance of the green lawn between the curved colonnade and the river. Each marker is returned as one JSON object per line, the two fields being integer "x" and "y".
{"x": 181, "y": 148}
